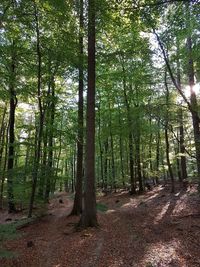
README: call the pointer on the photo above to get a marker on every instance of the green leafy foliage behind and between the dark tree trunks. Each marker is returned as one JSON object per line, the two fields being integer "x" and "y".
{"x": 127, "y": 59}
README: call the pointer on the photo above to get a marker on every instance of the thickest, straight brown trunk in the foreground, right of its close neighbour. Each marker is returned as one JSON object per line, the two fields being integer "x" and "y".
{"x": 89, "y": 216}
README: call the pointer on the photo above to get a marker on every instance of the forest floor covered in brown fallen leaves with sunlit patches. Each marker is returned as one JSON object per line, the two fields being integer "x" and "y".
{"x": 156, "y": 229}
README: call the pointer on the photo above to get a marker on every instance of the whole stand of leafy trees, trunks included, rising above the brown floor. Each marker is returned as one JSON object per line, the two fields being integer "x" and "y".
{"x": 97, "y": 94}
